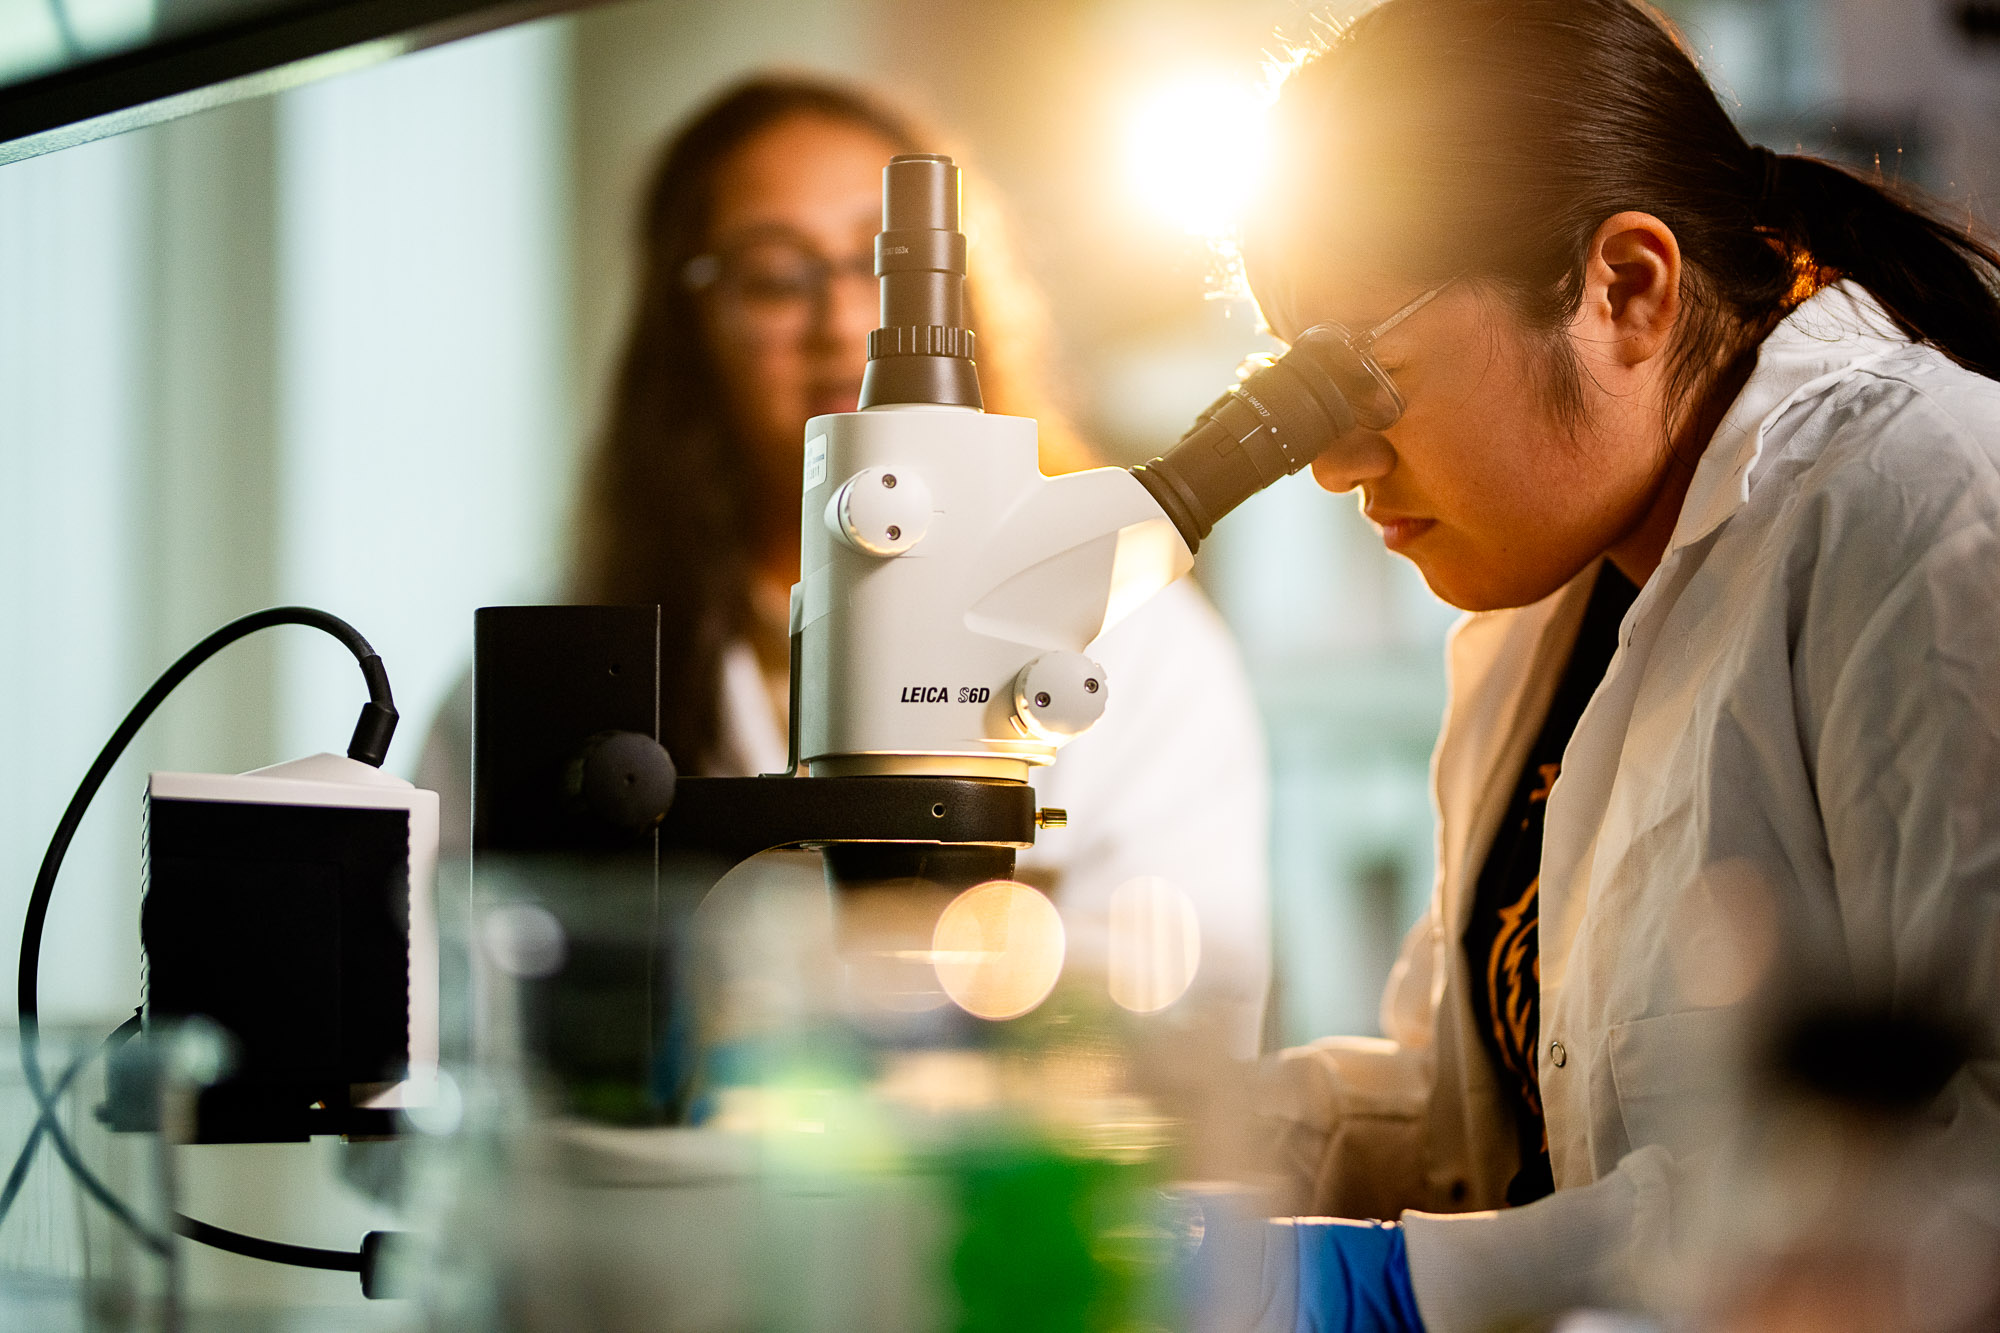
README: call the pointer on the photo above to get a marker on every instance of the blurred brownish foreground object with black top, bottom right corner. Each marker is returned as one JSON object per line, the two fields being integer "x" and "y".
{"x": 1855, "y": 1200}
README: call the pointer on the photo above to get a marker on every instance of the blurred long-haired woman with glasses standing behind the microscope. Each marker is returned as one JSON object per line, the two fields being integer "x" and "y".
{"x": 755, "y": 303}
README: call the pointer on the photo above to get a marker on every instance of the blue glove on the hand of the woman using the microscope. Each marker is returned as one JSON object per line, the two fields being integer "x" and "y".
{"x": 1353, "y": 1276}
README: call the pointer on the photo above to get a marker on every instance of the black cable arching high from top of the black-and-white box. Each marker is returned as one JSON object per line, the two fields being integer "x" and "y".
{"x": 371, "y": 746}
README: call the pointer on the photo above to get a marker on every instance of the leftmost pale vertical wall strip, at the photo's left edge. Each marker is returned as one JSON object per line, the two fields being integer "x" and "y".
{"x": 71, "y": 437}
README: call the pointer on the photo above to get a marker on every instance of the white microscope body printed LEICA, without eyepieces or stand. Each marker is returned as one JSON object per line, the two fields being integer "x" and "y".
{"x": 951, "y": 591}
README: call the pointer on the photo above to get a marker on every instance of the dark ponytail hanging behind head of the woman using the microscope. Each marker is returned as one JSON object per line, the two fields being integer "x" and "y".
{"x": 1937, "y": 281}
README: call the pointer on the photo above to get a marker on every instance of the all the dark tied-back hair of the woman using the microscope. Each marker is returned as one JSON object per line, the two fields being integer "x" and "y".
{"x": 1493, "y": 139}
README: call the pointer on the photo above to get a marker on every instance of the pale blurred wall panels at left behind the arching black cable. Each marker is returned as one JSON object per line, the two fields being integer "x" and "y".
{"x": 295, "y": 351}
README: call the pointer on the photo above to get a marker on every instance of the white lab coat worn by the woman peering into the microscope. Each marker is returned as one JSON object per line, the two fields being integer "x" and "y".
{"x": 1795, "y": 752}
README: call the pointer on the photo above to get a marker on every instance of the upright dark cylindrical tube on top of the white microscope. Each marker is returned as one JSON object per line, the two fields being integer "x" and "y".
{"x": 923, "y": 351}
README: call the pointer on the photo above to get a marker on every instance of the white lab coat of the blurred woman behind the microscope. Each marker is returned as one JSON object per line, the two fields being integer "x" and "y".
{"x": 1173, "y": 784}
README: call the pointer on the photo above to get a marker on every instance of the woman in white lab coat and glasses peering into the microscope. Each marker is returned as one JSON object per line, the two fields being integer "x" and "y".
{"x": 1707, "y": 439}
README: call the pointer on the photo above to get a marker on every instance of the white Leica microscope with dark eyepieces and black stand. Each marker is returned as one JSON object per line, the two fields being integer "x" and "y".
{"x": 941, "y": 627}
